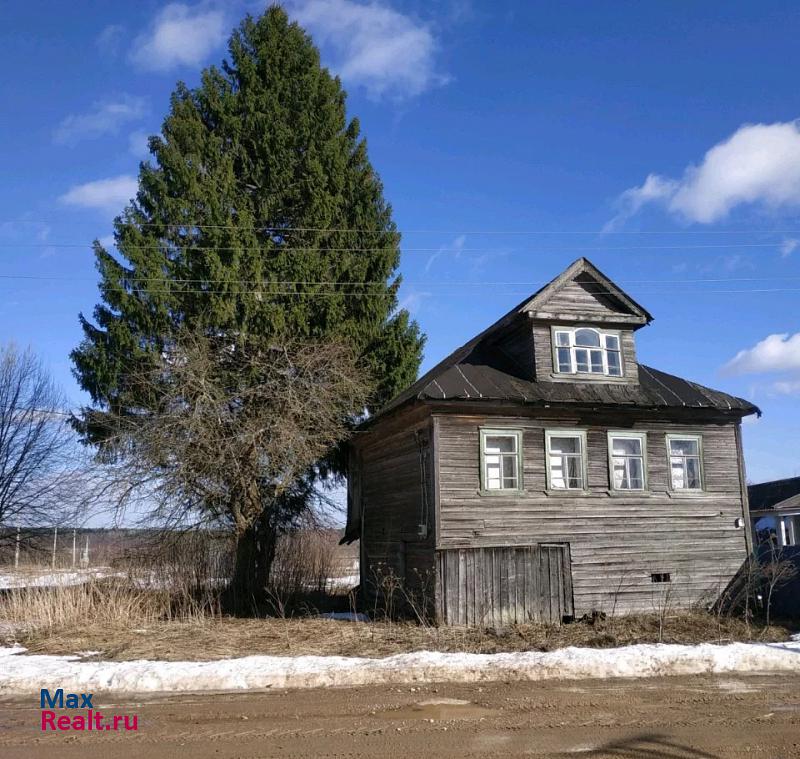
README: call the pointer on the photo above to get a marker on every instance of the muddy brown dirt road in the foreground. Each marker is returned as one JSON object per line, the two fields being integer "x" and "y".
{"x": 725, "y": 717}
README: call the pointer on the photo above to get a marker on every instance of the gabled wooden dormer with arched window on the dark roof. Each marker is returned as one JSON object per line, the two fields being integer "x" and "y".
{"x": 583, "y": 326}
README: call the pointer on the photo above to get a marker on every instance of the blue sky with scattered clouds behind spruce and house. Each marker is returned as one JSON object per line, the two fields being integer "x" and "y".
{"x": 658, "y": 139}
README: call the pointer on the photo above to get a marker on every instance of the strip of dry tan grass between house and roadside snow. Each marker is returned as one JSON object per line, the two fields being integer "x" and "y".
{"x": 207, "y": 639}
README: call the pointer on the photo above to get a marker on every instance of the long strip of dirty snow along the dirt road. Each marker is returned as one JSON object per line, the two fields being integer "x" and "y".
{"x": 27, "y": 674}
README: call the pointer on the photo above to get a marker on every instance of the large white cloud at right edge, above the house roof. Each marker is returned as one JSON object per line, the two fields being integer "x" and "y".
{"x": 759, "y": 164}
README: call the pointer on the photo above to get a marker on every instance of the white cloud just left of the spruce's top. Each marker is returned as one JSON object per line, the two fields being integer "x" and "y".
{"x": 180, "y": 35}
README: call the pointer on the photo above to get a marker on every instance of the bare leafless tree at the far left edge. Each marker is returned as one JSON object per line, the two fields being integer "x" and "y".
{"x": 38, "y": 476}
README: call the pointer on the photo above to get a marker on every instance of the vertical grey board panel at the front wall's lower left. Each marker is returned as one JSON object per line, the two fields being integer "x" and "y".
{"x": 497, "y": 587}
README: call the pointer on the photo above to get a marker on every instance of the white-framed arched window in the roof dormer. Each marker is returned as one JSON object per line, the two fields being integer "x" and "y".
{"x": 585, "y": 350}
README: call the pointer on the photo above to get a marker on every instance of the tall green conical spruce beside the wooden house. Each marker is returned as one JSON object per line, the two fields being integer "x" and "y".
{"x": 259, "y": 216}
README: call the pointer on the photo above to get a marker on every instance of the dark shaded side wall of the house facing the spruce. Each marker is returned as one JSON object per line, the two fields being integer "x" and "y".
{"x": 395, "y": 480}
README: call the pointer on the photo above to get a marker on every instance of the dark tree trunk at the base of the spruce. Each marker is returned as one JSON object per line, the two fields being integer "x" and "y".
{"x": 255, "y": 550}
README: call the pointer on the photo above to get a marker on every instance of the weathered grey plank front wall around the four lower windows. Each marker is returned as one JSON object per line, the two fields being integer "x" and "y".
{"x": 617, "y": 541}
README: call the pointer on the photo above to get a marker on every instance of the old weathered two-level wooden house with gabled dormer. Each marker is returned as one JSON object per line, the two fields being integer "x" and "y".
{"x": 540, "y": 472}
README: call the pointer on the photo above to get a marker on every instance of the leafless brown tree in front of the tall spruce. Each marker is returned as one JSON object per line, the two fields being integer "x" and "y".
{"x": 230, "y": 429}
